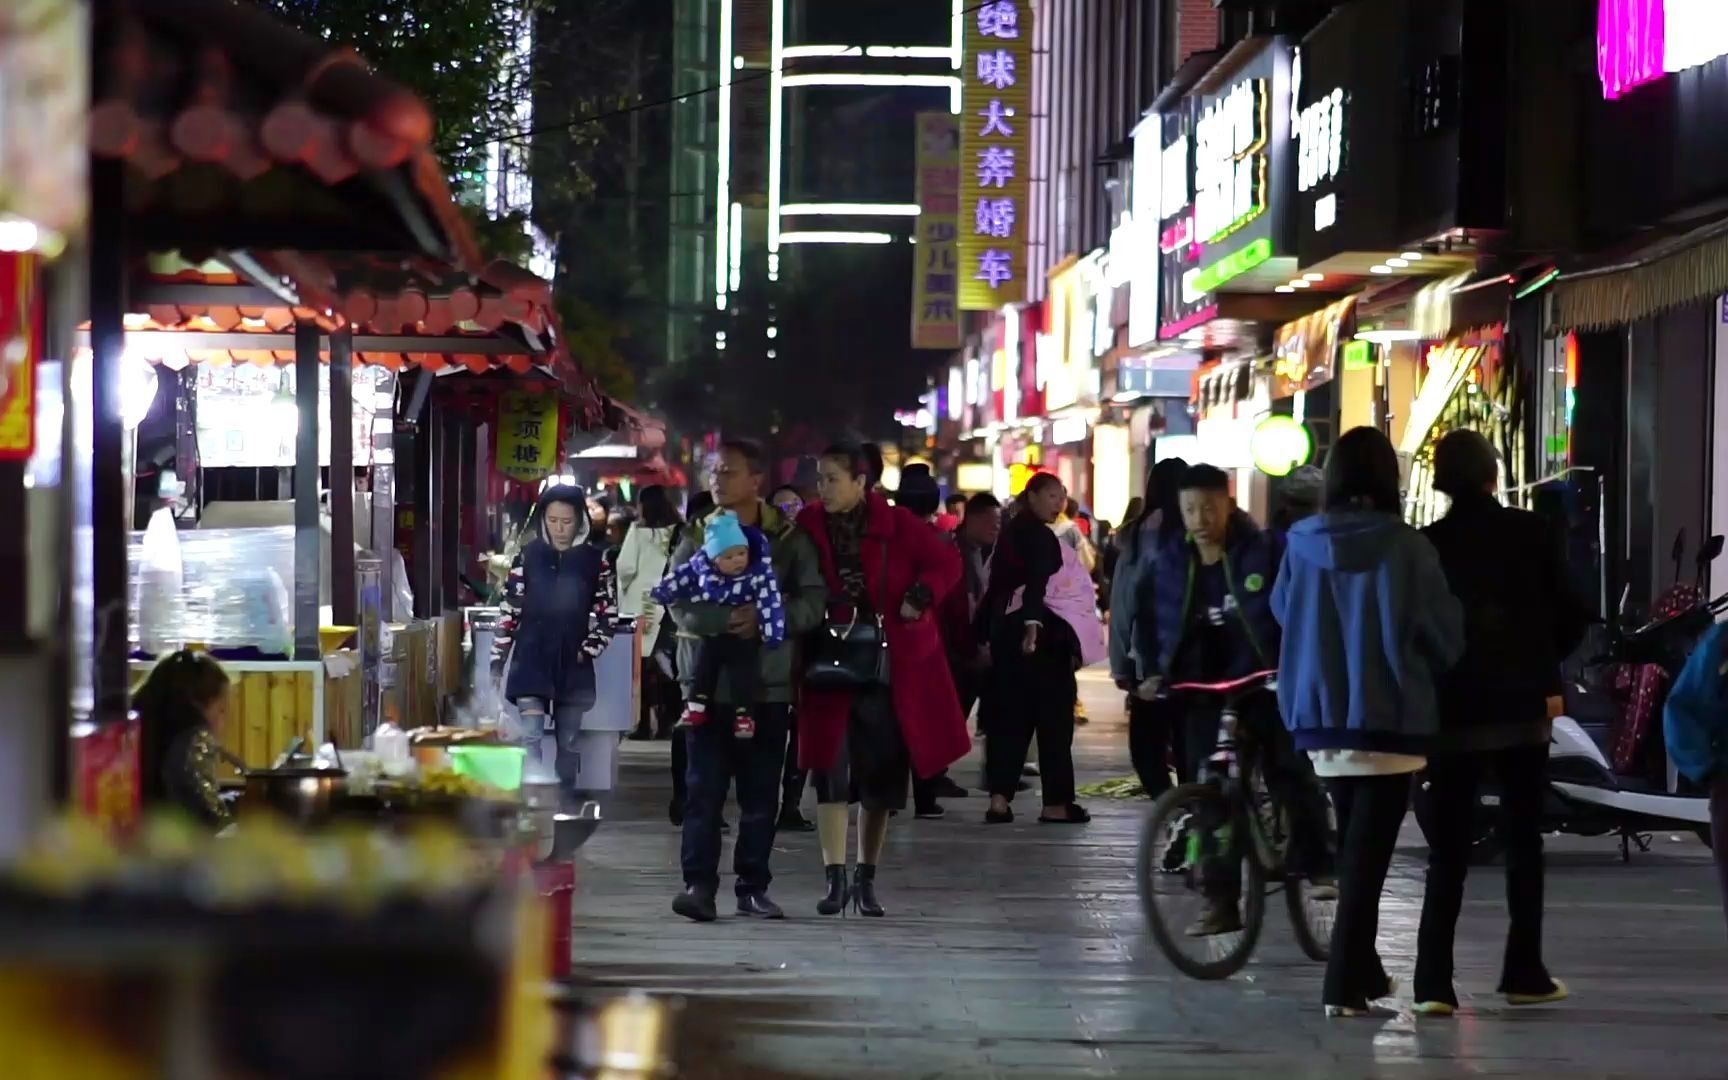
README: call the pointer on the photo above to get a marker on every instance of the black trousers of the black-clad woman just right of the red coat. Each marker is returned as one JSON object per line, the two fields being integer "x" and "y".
{"x": 1034, "y": 699}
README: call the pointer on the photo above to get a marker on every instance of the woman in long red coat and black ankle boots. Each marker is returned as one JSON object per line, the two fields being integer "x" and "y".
{"x": 882, "y": 562}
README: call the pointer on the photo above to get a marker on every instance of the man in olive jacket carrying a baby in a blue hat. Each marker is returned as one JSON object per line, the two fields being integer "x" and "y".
{"x": 715, "y": 756}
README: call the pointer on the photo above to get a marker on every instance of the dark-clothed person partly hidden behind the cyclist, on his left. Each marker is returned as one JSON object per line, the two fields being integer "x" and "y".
{"x": 1140, "y": 540}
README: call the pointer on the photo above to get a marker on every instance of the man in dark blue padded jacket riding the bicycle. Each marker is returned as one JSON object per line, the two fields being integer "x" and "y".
{"x": 1210, "y": 600}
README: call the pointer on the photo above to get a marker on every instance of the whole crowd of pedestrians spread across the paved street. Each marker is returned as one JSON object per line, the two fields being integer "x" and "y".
{"x": 770, "y": 628}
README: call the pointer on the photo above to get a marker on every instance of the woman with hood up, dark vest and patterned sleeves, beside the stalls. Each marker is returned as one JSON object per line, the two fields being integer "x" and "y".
{"x": 554, "y": 623}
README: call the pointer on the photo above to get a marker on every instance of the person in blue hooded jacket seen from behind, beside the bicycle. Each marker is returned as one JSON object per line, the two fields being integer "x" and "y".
{"x": 1369, "y": 625}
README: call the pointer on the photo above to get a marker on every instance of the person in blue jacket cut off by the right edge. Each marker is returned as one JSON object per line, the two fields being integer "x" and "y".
{"x": 1696, "y": 730}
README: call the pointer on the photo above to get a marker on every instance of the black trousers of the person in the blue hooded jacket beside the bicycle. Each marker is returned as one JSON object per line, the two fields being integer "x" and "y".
{"x": 1369, "y": 813}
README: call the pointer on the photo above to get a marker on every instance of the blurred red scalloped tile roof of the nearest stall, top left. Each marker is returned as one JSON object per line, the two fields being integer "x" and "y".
{"x": 253, "y": 136}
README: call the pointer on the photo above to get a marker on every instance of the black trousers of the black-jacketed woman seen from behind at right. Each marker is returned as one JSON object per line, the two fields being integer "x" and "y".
{"x": 1452, "y": 778}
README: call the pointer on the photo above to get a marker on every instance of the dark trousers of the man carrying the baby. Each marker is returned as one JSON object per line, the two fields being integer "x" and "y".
{"x": 716, "y": 761}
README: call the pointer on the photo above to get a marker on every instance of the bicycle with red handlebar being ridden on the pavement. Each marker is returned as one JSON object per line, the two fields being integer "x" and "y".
{"x": 1176, "y": 853}
